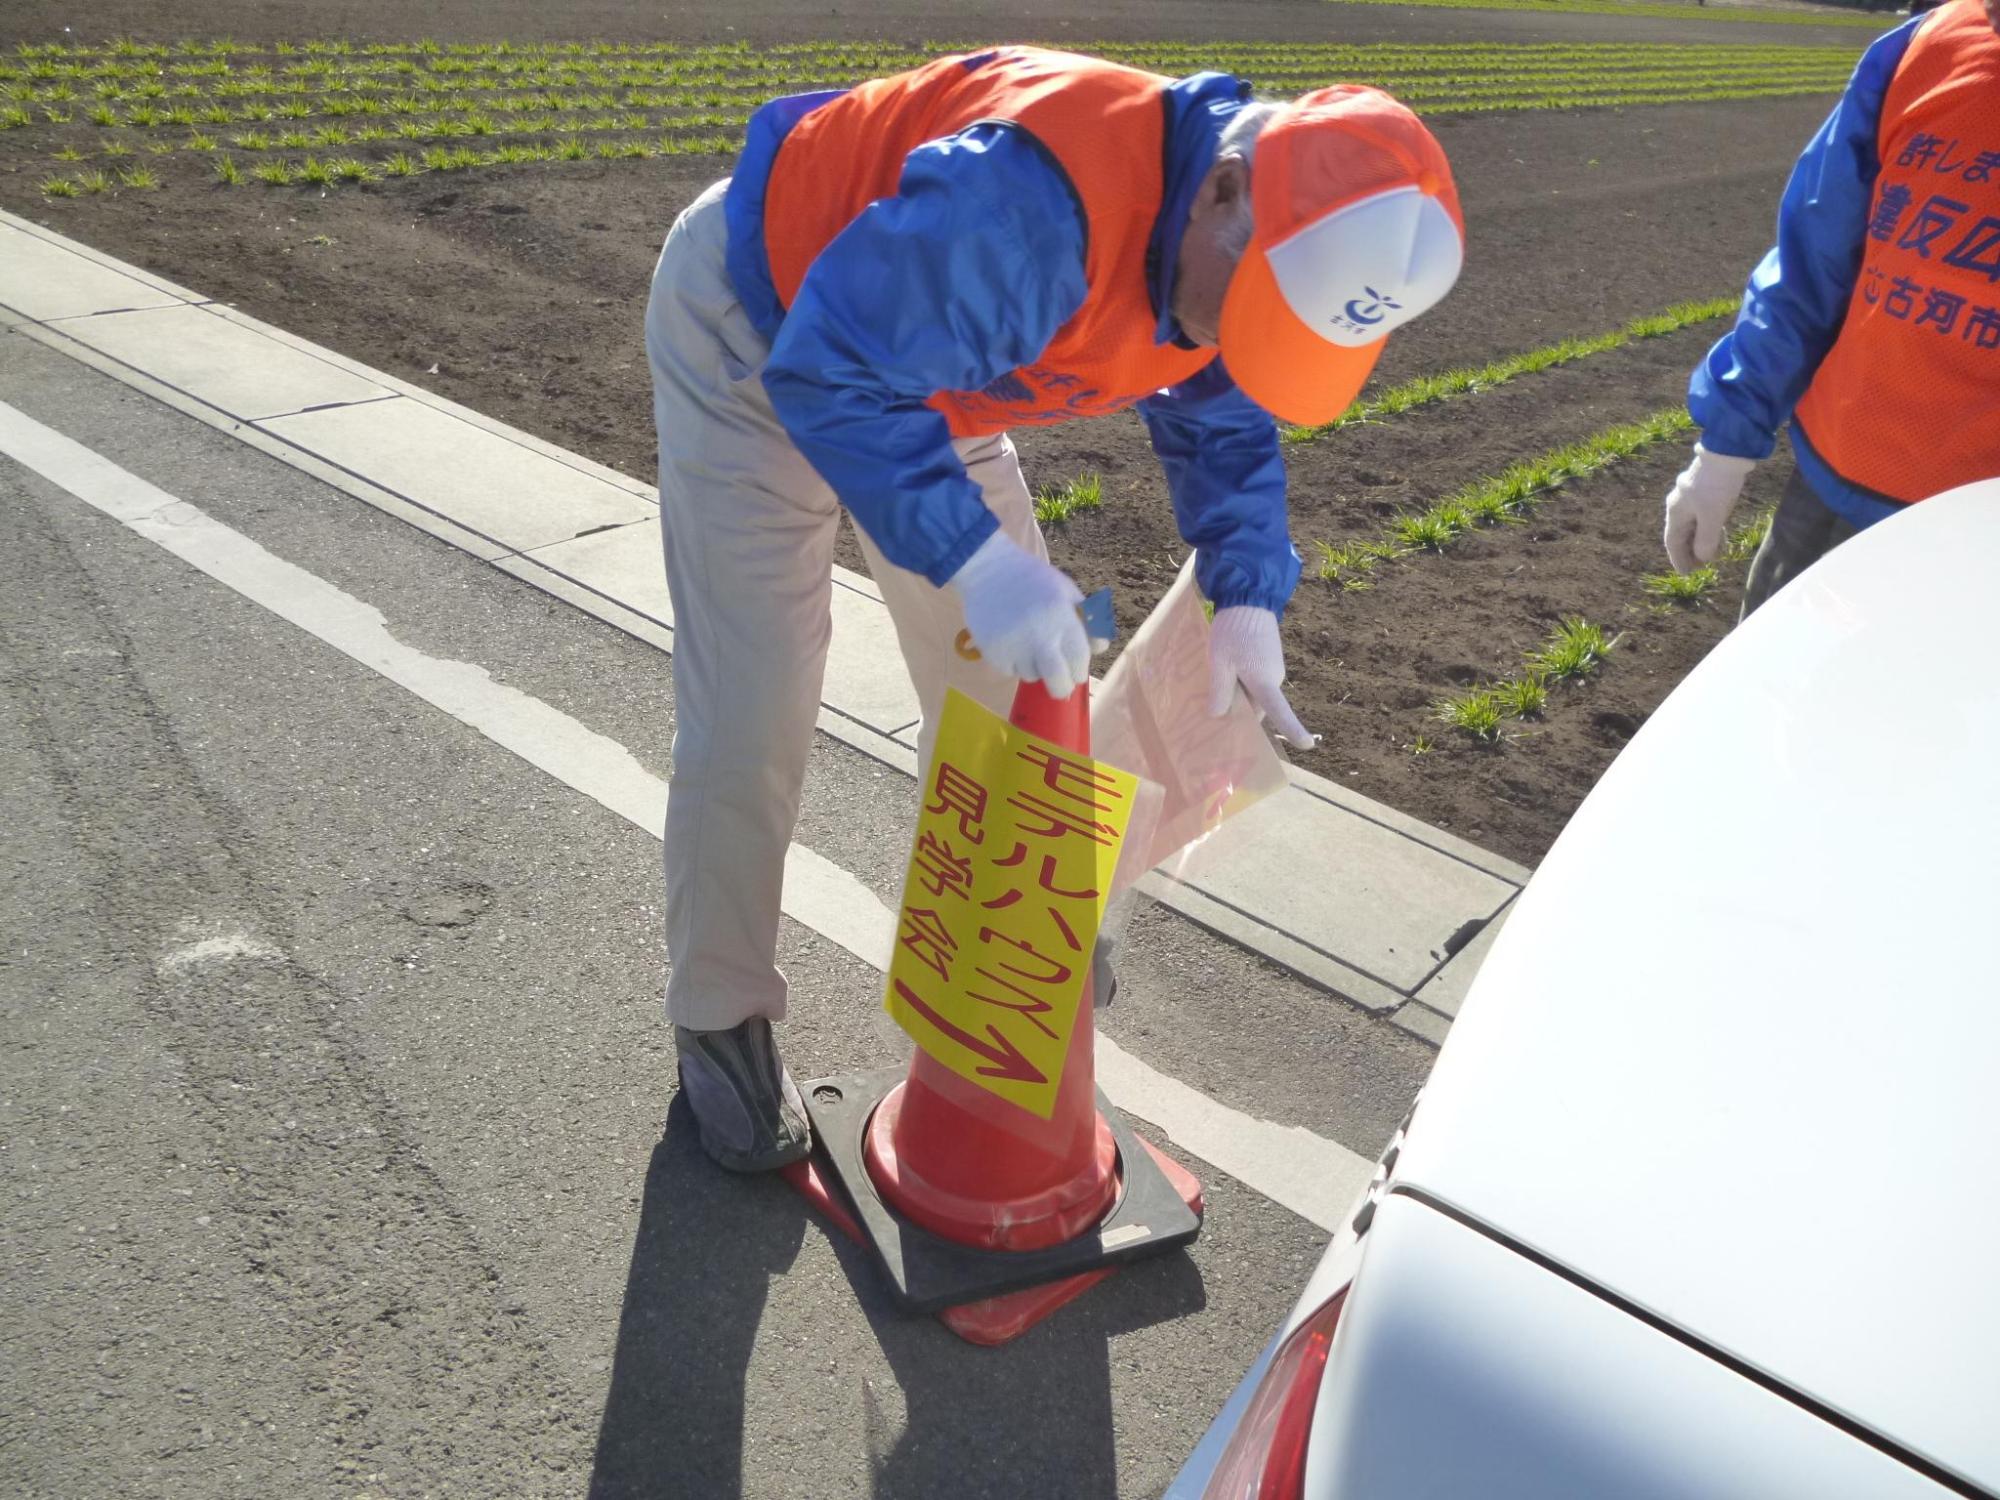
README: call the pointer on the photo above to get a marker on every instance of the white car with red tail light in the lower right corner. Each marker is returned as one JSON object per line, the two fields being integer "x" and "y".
{"x": 1703, "y": 1197}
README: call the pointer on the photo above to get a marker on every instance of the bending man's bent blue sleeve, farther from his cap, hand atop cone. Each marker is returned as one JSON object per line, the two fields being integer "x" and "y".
{"x": 965, "y": 275}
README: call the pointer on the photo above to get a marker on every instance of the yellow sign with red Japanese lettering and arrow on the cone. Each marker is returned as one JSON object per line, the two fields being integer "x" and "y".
{"x": 1001, "y": 909}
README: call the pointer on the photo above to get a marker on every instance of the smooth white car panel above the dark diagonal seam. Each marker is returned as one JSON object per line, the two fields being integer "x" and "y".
{"x": 1737, "y": 1055}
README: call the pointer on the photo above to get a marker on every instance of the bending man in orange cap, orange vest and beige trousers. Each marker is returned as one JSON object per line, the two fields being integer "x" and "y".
{"x": 893, "y": 279}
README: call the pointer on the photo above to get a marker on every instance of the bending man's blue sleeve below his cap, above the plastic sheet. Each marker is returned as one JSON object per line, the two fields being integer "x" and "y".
{"x": 1223, "y": 467}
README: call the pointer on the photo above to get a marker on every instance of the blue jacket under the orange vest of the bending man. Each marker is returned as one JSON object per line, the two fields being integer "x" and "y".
{"x": 961, "y": 279}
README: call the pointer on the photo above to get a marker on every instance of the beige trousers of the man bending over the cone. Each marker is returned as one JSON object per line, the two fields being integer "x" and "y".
{"x": 749, "y": 533}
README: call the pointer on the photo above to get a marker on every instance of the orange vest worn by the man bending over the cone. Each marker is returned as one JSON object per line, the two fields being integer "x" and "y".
{"x": 1105, "y": 127}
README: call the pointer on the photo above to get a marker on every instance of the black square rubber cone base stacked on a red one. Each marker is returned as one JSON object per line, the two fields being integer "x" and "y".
{"x": 1009, "y": 1291}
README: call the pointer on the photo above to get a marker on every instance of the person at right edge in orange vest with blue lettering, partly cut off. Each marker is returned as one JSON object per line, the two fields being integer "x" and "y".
{"x": 1875, "y": 323}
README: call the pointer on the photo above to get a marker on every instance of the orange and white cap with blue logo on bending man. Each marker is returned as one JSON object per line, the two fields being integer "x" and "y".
{"x": 1357, "y": 231}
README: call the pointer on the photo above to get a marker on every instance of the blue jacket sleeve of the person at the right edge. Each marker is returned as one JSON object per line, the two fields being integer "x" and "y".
{"x": 1799, "y": 295}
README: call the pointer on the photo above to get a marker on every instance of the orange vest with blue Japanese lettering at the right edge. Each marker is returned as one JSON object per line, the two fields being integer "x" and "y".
{"x": 1907, "y": 401}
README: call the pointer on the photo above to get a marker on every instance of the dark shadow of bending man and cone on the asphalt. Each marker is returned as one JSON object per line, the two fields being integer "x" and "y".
{"x": 1029, "y": 1419}
